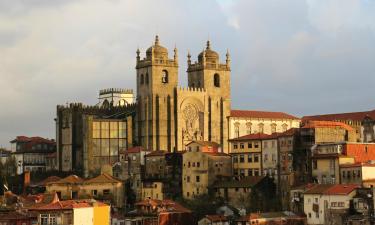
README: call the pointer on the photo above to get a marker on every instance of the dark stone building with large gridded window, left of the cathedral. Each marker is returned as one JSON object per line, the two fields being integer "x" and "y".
{"x": 89, "y": 137}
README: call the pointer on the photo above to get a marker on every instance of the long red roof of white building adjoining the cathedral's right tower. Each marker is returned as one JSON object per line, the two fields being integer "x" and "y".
{"x": 261, "y": 114}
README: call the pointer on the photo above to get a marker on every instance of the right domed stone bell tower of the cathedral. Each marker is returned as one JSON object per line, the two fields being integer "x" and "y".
{"x": 214, "y": 77}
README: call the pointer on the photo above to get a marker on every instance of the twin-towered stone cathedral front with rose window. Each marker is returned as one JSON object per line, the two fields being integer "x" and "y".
{"x": 170, "y": 116}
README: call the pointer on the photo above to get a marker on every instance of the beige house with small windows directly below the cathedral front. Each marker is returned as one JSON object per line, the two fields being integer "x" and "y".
{"x": 200, "y": 169}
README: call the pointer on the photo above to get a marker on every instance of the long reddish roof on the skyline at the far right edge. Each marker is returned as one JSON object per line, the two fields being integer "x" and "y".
{"x": 359, "y": 116}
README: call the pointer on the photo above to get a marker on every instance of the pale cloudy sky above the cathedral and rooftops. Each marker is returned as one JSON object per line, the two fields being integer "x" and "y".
{"x": 302, "y": 57}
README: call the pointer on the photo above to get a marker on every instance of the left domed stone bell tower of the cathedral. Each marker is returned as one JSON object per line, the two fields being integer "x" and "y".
{"x": 157, "y": 79}
